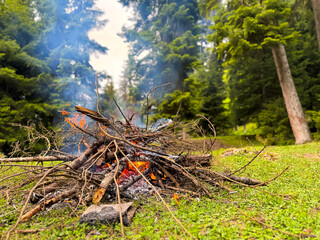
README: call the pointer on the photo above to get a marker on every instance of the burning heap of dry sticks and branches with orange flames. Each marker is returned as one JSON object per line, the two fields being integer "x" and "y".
{"x": 122, "y": 162}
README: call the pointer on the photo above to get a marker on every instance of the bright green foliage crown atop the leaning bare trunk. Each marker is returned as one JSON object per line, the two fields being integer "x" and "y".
{"x": 242, "y": 27}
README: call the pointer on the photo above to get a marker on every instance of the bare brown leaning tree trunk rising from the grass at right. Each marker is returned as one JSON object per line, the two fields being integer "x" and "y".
{"x": 297, "y": 120}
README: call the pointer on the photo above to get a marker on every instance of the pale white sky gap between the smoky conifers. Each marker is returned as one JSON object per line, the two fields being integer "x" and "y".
{"x": 113, "y": 62}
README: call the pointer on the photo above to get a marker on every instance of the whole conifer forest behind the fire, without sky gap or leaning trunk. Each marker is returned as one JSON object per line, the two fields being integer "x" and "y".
{"x": 219, "y": 57}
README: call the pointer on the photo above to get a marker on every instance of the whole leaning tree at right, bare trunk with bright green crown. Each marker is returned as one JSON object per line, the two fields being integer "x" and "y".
{"x": 253, "y": 25}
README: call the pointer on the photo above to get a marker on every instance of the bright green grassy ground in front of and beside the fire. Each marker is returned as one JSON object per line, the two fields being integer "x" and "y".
{"x": 226, "y": 216}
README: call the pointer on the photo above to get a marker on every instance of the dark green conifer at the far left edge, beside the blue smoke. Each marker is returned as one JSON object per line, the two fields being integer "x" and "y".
{"x": 25, "y": 82}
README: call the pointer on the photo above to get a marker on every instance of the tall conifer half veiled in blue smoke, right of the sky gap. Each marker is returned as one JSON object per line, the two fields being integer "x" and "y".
{"x": 165, "y": 47}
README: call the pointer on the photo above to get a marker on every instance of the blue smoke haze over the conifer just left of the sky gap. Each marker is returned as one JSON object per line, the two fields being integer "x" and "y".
{"x": 68, "y": 48}
